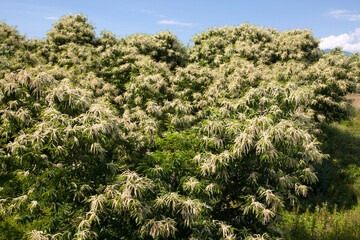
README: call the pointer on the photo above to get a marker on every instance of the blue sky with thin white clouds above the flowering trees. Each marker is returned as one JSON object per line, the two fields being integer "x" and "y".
{"x": 337, "y": 23}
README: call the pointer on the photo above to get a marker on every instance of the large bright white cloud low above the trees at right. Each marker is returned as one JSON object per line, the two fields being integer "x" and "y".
{"x": 349, "y": 42}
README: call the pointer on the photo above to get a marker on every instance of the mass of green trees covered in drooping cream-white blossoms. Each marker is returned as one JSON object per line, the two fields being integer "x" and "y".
{"x": 140, "y": 137}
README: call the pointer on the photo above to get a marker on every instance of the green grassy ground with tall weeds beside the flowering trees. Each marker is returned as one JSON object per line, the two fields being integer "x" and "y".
{"x": 332, "y": 211}
